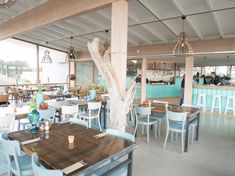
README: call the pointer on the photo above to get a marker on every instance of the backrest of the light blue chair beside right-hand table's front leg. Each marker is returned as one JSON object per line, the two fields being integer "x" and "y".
{"x": 176, "y": 116}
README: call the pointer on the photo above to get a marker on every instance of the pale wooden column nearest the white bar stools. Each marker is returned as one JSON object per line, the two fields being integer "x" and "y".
{"x": 189, "y": 63}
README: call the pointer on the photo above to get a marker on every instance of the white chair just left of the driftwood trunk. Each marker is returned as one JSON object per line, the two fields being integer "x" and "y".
{"x": 93, "y": 113}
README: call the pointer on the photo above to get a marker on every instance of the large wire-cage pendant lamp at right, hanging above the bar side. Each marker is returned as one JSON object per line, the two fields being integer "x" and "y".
{"x": 182, "y": 47}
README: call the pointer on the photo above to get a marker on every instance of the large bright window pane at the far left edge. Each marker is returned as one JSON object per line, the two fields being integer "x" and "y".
{"x": 17, "y": 62}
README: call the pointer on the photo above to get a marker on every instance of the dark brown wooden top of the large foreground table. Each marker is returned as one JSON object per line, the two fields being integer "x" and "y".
{"x": 57, "y": 153}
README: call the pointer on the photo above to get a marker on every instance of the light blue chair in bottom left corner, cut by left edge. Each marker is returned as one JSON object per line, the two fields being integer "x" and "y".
{"x": 18, "y": 163}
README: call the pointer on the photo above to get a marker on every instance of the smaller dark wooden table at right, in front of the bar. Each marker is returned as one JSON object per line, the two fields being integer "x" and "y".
{"x": 193, "y": 114}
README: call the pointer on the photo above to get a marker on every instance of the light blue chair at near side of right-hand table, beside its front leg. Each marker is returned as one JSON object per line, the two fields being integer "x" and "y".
{"x": 175, "y": 122}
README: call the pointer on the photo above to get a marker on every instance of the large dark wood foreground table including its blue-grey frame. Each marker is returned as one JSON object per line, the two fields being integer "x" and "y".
{"x": 106, "y": 153}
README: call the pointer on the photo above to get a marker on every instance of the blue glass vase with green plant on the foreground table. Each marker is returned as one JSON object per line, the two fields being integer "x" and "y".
{"x": 34, "y": 115}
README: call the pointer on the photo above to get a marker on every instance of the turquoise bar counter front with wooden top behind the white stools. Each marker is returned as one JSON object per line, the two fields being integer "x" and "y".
{"x": 209, "y": 91}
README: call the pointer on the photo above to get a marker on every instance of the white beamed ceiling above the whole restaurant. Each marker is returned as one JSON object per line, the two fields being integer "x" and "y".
{"x": 150, "y": 22}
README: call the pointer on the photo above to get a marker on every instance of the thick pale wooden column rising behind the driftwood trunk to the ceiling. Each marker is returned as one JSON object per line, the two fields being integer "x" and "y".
{"x": 119, "y": 41}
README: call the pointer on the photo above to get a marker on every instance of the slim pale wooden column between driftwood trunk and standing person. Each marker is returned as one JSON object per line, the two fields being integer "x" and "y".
{"x": 143, "y": 80}
